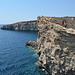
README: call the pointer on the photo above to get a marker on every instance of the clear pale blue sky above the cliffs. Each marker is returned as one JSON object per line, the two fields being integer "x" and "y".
{"x": 12, "y": 11}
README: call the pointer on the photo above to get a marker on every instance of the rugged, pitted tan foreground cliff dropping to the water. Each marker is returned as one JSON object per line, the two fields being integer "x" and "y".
{"x": 56, "y": 46}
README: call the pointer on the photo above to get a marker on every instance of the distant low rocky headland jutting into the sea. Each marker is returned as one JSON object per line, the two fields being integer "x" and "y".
{"x": 27, "y": 25}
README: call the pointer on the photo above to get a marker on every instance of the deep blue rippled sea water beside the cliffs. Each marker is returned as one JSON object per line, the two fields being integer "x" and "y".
{"x": 15, "y": 57}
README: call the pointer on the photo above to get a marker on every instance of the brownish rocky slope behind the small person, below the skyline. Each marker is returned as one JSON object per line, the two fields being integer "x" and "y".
{"x": 58, "y": 20}
